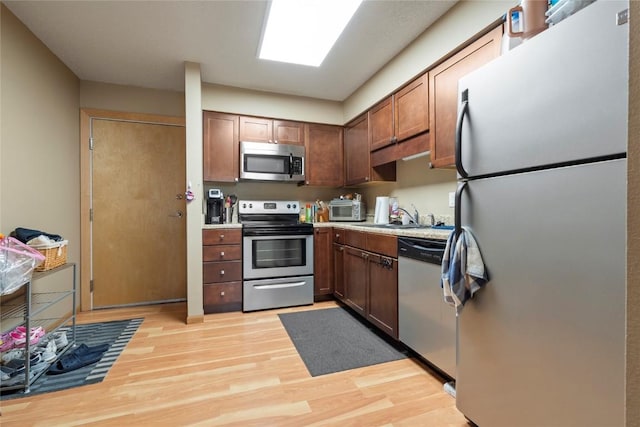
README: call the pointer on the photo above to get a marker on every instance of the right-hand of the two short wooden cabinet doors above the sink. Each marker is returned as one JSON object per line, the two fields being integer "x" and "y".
{"x": 411, "y": 109}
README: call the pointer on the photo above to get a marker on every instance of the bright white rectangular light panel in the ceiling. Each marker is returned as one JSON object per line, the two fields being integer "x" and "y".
{"x": 303, "y": 31}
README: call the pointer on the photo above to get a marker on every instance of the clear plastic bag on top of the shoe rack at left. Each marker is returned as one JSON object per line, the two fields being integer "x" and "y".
{"x": 17, "y": 262}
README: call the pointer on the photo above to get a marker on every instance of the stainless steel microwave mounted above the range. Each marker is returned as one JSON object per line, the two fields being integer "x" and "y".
{"x": 271, "y": 162}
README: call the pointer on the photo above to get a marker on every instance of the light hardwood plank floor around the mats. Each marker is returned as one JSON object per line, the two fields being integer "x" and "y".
{"x": 236, "y": 369}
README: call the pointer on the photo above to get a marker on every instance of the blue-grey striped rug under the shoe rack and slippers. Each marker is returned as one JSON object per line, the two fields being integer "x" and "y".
{"x": 116, "y": 333}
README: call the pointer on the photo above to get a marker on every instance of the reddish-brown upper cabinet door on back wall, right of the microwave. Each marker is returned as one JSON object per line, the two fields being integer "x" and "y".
{"x": 325, "y": 155}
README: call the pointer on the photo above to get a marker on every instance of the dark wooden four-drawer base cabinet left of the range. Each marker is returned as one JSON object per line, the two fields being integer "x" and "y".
{"x": 222, "y": 270}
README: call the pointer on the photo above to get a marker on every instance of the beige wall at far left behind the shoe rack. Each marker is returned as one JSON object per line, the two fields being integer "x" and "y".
{"x": 39, "y": 150}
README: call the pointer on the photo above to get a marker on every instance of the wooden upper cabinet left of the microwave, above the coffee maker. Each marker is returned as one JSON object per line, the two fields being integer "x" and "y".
{"x": 220, "y": 149}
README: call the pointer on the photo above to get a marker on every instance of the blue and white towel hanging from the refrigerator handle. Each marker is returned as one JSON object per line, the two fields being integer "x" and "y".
{"x": 463, "y": 270}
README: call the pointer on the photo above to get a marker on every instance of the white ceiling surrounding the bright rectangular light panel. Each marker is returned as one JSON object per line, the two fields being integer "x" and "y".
{"x": 145, "y": 43}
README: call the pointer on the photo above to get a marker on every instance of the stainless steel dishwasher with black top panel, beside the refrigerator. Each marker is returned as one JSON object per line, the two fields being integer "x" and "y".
{"x": 426, "y": 324}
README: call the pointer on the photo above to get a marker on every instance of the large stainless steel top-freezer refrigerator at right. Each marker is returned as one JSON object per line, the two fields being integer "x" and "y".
{"x": 542, "y": 141}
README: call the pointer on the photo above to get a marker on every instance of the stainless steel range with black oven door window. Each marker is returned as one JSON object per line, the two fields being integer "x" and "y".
{"x": 277, "y": 255}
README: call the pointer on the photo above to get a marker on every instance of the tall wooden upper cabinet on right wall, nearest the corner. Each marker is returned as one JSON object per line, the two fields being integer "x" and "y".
{"x": 358, "y": 169}
